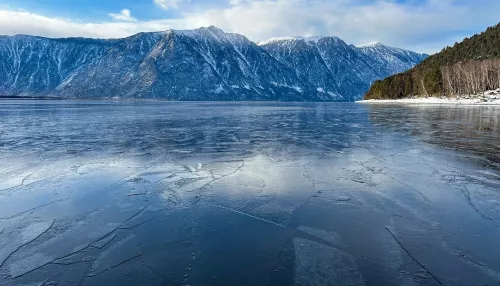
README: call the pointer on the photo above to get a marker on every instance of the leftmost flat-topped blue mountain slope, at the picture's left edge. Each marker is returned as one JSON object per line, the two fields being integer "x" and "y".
{"x": 38, "y": 65}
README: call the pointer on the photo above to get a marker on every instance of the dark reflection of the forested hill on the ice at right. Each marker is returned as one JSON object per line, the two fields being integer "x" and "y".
{"x": 473, "y": 129}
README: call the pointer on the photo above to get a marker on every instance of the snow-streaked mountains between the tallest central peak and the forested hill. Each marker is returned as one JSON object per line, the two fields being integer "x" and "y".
{"x": 336, "y": 68}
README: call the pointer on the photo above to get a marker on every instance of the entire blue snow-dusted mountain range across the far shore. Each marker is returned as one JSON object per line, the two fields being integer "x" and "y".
{"x": 201, "y": 64}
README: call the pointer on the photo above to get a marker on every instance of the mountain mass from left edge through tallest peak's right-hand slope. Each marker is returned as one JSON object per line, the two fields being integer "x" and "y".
{"x": 202, "y": 64}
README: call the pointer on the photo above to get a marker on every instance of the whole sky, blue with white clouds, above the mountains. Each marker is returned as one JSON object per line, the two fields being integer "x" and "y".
{"x": 418, "y": 25}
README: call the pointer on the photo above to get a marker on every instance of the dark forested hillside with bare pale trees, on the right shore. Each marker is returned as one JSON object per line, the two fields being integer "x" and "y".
{"x": 469, "y": 67}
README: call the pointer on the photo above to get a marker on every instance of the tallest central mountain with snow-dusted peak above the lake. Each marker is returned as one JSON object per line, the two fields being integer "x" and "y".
{"x": 208, "y": 62}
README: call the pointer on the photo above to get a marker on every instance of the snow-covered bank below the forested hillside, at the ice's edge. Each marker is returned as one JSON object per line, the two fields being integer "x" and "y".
{"x": 491, "y": 97}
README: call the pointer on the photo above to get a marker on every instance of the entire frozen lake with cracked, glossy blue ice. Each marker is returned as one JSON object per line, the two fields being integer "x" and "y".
{"x": 159, "y": 193}
